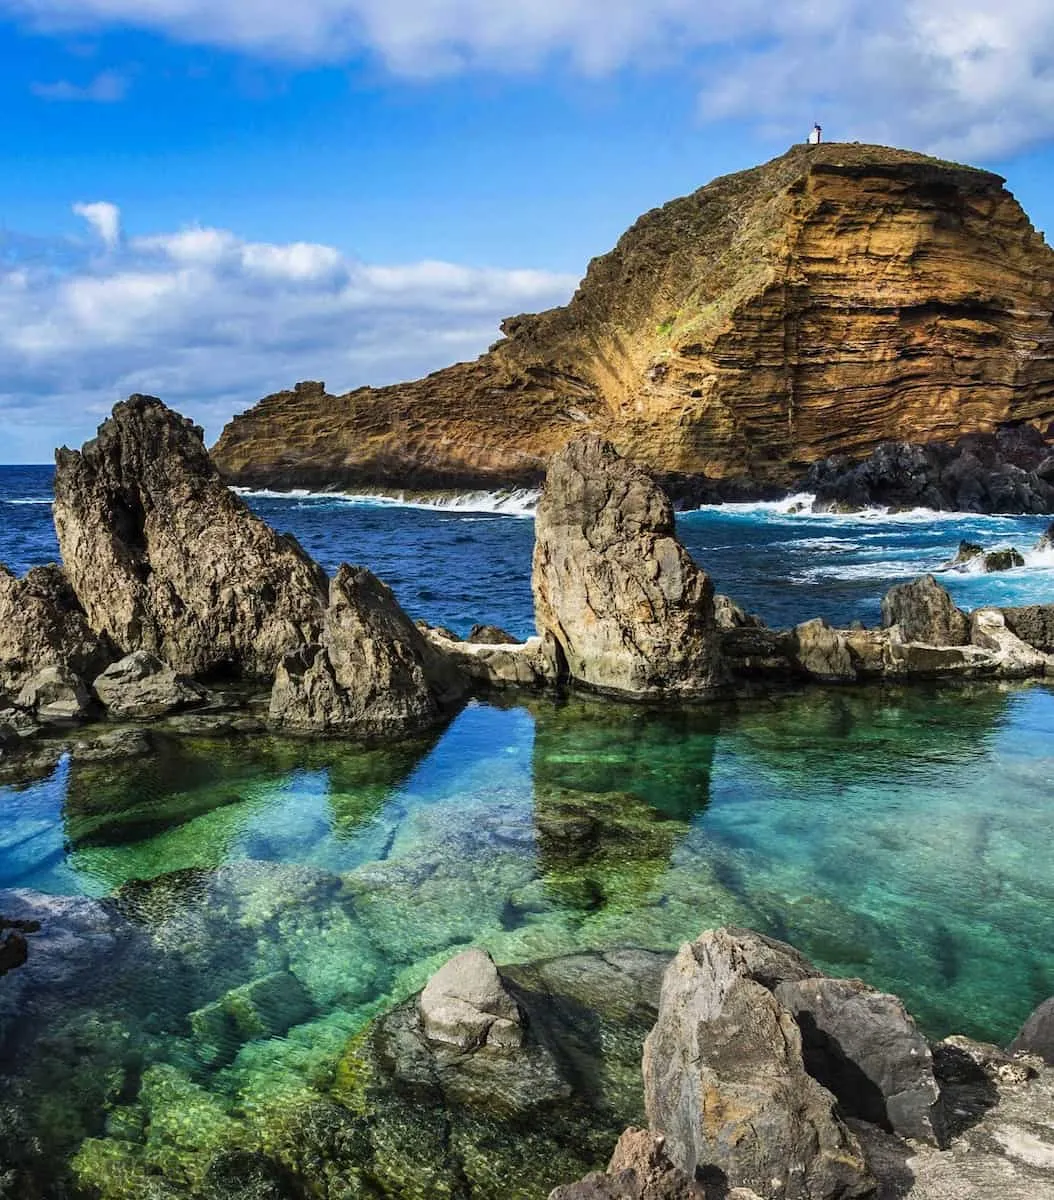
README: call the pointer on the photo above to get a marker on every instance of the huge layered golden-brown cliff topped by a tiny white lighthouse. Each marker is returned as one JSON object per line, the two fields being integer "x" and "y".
{"x": 828, "y": 302}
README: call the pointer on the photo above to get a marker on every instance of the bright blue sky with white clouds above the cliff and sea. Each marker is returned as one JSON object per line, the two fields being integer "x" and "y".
{"x": 211, "y": 200}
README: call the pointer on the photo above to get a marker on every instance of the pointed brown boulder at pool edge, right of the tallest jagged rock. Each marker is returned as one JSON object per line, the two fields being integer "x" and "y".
{"x": 372, "y": 674}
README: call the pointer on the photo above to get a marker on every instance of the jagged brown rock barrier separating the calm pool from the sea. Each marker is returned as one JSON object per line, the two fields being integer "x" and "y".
{"x": 175, "y": 596}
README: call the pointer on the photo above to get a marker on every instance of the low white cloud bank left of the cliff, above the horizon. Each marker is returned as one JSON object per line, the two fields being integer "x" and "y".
{"x": 212, "y": 322}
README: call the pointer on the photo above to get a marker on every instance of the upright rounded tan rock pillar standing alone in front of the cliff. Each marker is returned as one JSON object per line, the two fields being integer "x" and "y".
{"x": 630, "y": 610}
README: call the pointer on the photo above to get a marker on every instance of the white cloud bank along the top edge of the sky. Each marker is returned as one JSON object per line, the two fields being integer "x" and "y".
{"x": 955, "y": 76}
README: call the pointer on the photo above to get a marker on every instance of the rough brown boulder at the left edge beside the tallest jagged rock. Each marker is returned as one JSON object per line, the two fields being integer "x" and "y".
{"x": 43, "y": 626}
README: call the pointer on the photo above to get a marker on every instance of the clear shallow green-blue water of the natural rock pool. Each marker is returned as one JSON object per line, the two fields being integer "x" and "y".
{"x": 899, "y": 836}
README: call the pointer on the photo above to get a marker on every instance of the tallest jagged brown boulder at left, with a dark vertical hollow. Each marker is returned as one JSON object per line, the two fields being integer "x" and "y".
{"x": 165, "y": 559}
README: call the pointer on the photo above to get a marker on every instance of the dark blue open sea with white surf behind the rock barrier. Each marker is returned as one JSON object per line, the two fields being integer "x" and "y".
{"x": 470, "y": 561}
